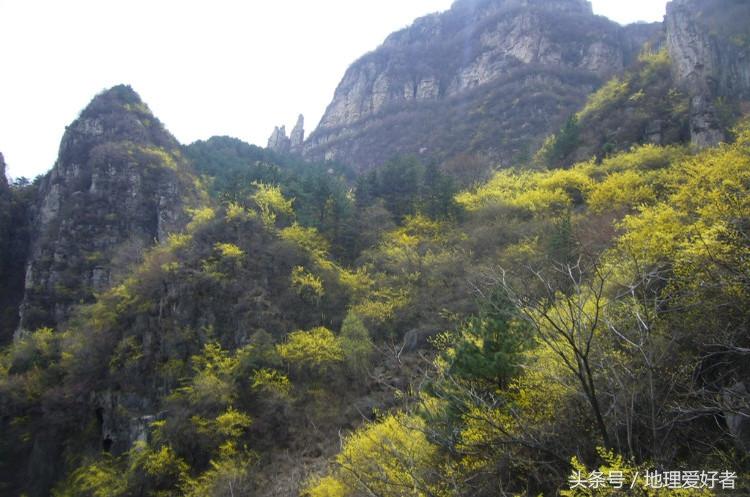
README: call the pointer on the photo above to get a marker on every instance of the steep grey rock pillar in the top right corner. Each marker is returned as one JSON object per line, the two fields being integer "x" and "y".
{"x": 709, "y": 44}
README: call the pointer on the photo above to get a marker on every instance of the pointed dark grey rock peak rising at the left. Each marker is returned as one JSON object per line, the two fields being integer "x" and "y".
{"x": 119, "y": 184}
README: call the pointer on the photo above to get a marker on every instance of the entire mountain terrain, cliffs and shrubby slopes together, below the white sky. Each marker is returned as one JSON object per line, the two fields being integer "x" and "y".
{"x": 218, "y": 319}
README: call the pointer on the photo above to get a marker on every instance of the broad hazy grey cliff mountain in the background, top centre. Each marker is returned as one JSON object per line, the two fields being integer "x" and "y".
{"x": 490, "y": 76}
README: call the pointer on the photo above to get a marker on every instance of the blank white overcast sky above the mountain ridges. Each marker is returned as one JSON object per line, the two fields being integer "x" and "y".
{"x": 220, "y": 67}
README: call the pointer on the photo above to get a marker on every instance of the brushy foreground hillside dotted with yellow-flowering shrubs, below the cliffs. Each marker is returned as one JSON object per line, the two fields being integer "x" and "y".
{"x": 595, "y": 315}
